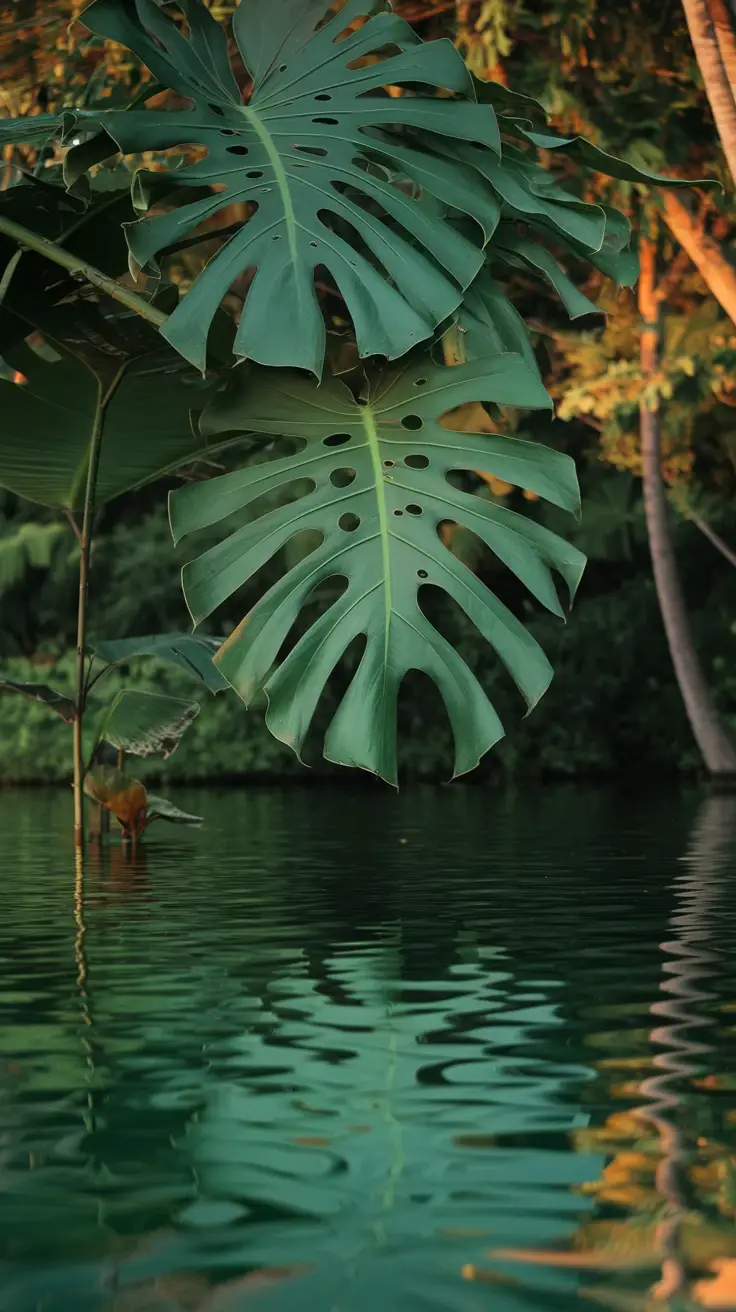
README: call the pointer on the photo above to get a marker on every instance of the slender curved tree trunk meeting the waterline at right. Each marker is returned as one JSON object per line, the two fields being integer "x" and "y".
{"x": 718, "y": 752}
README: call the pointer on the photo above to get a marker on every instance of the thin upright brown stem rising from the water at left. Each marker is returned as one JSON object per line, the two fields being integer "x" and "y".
{"x": 86, "y": 546}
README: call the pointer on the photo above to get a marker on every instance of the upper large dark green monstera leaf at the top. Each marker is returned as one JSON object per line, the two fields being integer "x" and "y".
{"x": 314, "y": 154}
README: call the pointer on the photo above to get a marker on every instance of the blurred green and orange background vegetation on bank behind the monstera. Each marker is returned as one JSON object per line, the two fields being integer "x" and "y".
{"x": 630, "y": 82}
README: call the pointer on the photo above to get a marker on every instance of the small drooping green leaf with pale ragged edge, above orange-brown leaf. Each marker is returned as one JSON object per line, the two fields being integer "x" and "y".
{"x": 148, "y": 724}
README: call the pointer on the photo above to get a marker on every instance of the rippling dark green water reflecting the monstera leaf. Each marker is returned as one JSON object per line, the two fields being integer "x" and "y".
{"x": 352, "y": 1053}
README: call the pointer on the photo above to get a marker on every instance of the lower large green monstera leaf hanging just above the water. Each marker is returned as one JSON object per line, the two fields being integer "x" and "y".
{"x": 378, "y": 474}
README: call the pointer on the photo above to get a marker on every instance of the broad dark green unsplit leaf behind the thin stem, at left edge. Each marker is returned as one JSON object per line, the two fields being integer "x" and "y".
{"x": 48, "y": 426}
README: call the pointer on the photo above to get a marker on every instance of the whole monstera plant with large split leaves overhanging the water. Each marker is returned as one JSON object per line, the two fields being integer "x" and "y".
{"x": 359, "y": 178}
